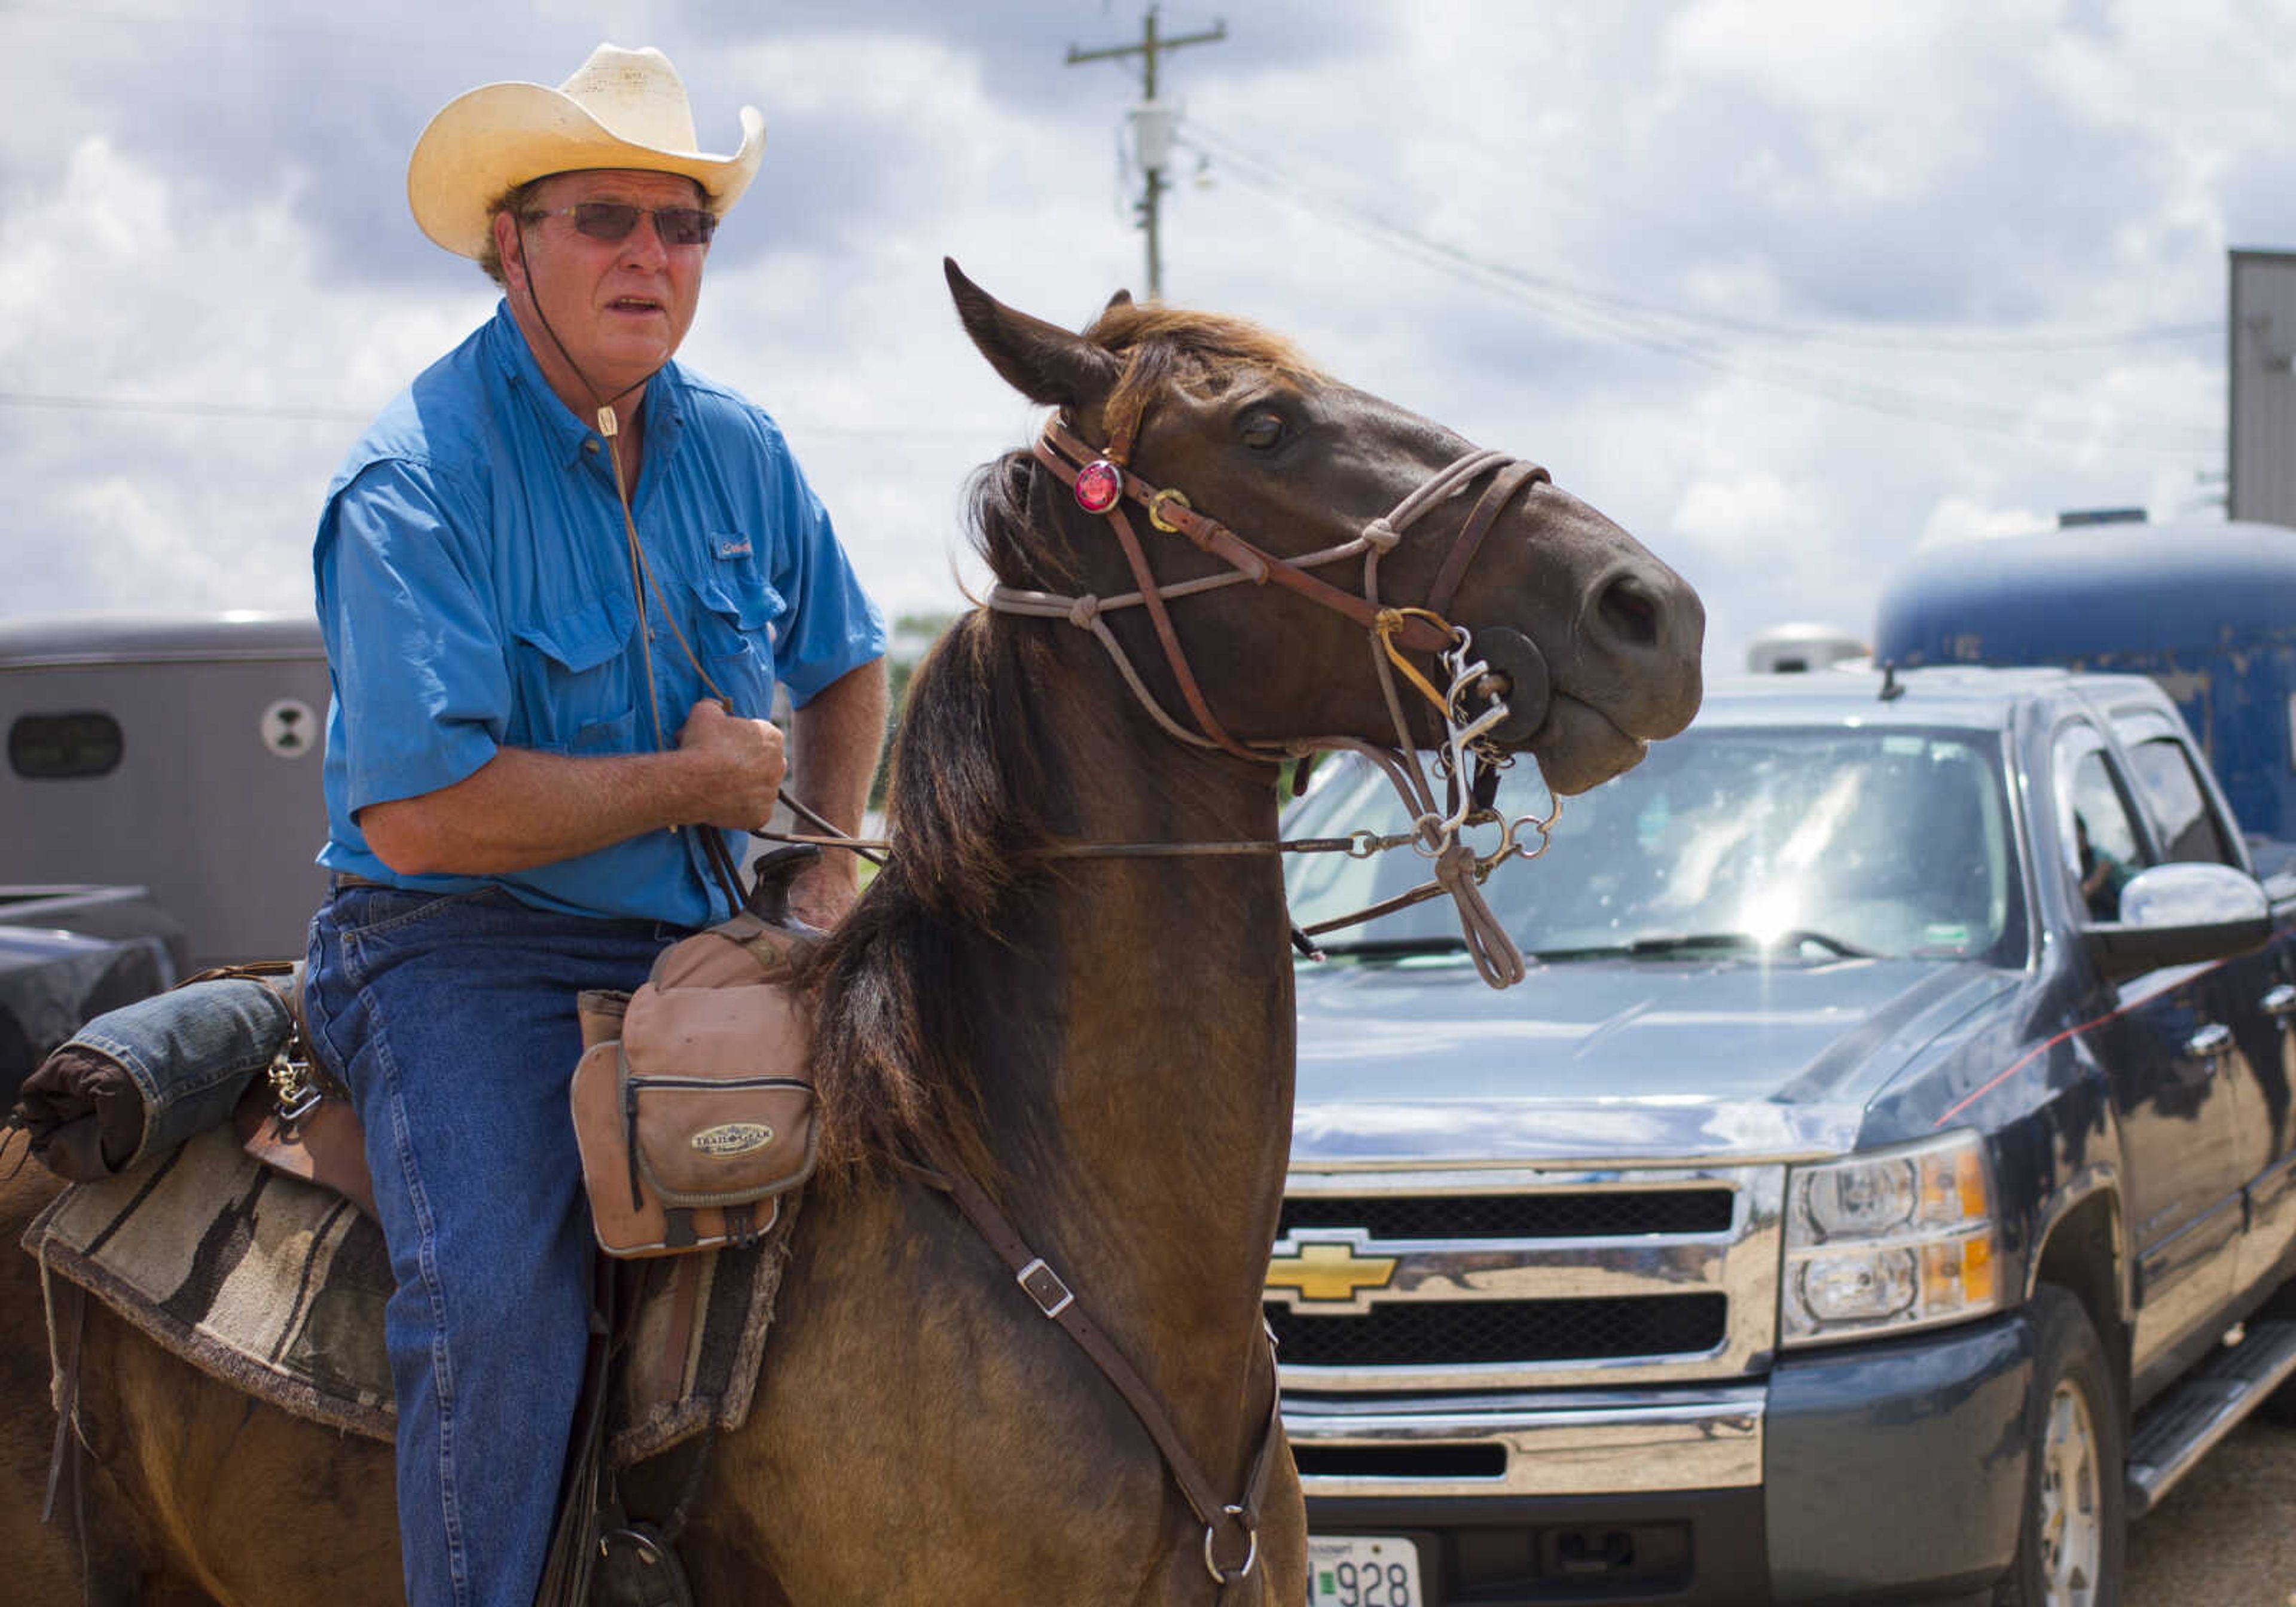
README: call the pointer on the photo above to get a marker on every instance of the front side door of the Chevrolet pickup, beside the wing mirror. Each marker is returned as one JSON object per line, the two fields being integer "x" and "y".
{"x": 2164, "y": 1055}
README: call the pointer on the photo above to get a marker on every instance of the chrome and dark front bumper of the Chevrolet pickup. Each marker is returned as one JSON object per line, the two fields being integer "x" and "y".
{"x": 1863, "y": 1475}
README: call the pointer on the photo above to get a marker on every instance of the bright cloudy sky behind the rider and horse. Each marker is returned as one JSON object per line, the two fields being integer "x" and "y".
{"x": 1787, "y": 288}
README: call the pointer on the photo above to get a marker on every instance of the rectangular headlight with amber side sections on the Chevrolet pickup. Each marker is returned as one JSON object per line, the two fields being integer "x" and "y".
{"x": 1893, "y": 1241}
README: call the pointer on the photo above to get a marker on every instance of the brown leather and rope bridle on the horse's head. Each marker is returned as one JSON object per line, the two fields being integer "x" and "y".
{"x": 1475, "y": 706}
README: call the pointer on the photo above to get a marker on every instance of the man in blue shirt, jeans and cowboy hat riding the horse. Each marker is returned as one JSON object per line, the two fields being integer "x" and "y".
{"x": 554, "y": 646}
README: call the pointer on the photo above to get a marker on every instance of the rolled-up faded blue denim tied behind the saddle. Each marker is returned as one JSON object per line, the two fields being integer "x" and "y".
{"x": 192, "y": 1053}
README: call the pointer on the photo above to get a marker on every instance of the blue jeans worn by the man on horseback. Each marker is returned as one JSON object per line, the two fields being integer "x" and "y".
{"x": 451, "y": 1020}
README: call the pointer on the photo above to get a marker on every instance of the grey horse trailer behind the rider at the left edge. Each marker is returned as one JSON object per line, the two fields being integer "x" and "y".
{"x": 176, "y": 754}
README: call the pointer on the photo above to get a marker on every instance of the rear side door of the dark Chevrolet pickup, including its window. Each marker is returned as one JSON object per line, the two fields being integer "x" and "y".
{"x": 2249, "y": 1002}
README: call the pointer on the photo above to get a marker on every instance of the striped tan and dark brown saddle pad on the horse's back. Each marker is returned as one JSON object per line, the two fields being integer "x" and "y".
{"x": 277, "y": 1287}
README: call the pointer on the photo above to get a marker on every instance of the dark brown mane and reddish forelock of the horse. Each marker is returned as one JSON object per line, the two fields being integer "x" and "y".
{"x": 970, "y": 795}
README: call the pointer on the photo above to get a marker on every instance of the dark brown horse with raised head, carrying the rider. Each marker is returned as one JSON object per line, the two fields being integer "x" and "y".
{"x": 1106, "y": 1041}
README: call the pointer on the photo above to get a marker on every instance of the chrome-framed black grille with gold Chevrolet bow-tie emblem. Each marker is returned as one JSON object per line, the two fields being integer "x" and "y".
{"x": 1441, "y": 1282}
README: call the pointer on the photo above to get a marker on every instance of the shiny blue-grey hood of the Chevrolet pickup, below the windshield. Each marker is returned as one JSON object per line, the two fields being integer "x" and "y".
{"x": 1608, "y": 1059}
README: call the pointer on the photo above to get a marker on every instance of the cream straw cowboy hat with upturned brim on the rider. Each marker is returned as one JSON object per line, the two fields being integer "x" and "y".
{"x": 621, "y": 109}
